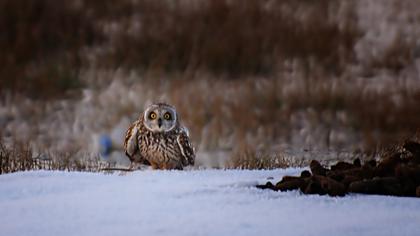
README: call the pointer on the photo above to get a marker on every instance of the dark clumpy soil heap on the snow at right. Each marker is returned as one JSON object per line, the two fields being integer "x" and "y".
{"x": 397, "y": 174}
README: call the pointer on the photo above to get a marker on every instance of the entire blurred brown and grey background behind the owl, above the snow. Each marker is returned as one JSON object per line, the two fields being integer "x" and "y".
{"x": 259, "y": 83}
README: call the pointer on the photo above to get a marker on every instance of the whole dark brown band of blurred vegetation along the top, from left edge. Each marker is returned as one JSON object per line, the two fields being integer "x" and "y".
{"x": 48, "y": 43}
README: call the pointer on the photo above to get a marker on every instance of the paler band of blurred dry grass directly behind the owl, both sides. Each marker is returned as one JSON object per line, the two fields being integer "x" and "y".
{"x": 266, "y": 113}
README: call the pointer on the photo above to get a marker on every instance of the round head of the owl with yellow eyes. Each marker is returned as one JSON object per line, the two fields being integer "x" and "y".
{"x": 160, "y": 117}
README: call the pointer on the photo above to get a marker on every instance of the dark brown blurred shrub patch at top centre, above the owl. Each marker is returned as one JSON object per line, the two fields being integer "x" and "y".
{"x": 232, "y": 36}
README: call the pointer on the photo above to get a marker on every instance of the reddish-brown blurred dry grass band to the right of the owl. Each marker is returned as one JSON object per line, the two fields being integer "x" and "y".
{"x": 266, "y": 112}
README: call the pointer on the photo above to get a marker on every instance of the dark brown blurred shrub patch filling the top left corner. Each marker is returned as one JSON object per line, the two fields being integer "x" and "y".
{"x": 40, "y": 46}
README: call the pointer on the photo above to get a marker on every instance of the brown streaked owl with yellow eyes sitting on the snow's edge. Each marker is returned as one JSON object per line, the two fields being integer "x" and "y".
{"x": 158, "y": 139}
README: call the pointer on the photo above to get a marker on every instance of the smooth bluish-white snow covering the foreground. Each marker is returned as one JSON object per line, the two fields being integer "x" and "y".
{"x": 196, "y": 202}
